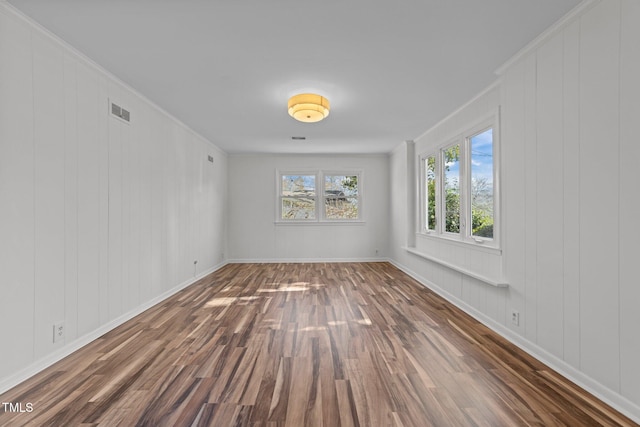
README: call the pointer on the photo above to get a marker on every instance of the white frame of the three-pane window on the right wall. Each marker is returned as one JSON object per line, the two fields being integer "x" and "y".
{"x": 464, "y": 139}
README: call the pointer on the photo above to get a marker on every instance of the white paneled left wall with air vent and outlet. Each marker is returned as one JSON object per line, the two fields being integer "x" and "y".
{"x": 98, "y": 218}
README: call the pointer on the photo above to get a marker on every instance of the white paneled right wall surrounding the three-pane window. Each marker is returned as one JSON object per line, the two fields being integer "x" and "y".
{"x": 570, "y": 178}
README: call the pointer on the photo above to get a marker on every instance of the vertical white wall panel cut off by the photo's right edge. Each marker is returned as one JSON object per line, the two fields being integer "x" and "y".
{"x": 629, "y": 202}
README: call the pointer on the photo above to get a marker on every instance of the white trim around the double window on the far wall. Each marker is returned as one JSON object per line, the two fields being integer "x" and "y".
{"x": 319, "y": 197}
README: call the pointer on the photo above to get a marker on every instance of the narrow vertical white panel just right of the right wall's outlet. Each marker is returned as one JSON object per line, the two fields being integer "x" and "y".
{"x": 530, "y": 138}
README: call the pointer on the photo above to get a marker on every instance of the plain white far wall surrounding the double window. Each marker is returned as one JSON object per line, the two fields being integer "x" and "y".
{"x": 254, "y": 235}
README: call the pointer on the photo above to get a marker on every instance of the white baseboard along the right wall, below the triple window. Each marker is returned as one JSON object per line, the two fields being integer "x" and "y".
{"x": 610, "y": 397}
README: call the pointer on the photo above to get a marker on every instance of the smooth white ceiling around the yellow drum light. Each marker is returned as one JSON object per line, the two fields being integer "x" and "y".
{"x": 391, "y": 69}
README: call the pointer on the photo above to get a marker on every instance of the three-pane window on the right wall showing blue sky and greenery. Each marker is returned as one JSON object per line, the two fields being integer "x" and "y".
{"x": 458, "y": 187}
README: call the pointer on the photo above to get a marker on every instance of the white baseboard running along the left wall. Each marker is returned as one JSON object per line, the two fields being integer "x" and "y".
{"x": 39, "y": 365}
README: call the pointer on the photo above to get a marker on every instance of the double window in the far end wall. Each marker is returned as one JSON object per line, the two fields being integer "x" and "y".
{"x": 339, "y": 196}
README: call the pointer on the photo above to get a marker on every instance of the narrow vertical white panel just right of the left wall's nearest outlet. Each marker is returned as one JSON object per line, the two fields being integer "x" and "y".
{"x": 70, "y": 199}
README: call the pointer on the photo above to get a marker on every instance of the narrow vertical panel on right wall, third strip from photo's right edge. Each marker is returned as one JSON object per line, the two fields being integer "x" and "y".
{"x": 571, "y": 192}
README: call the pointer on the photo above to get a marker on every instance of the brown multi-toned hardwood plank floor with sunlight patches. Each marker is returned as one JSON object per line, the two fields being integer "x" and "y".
{"x": 341, "y": 344}
